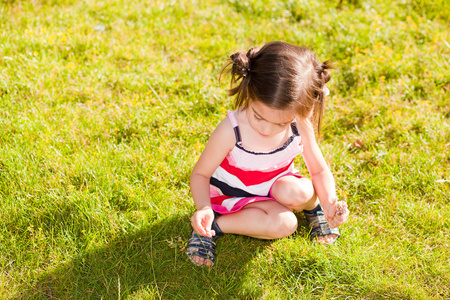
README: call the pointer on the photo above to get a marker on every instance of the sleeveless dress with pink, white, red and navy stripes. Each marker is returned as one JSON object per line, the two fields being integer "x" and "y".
{"x": 245, "y": 176}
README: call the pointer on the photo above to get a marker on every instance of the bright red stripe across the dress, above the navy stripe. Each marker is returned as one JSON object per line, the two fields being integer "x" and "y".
{"x": 252, "y": 177}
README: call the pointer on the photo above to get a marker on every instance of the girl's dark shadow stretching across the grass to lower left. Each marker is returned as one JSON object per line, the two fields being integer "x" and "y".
{"x": 151, "y": 264}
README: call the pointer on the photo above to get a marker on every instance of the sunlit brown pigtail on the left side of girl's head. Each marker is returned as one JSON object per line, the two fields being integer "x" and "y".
{"x": 241, "y": 72}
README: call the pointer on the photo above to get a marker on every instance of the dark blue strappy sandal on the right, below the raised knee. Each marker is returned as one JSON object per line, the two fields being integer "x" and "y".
{"x": 319, "y": 224}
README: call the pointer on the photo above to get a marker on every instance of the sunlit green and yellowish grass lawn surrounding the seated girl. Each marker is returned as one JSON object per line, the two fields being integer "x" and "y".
{"x": 106, "y": 105}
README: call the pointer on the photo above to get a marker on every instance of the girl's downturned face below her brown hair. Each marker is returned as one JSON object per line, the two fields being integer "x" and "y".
{"x": 268, "y": 121}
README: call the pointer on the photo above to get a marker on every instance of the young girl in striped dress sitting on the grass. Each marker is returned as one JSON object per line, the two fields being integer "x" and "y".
{"x": 245, "y": 181}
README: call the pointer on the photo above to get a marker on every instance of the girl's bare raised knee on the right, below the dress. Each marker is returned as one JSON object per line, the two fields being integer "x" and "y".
{"x": 293, "y": 192}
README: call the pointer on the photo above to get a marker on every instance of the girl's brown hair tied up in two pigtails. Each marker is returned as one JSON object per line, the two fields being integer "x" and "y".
{"x": 282, "y": 76}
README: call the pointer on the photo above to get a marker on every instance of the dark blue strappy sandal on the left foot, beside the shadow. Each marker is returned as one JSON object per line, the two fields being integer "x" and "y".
{"x": 203, "y": 246}
